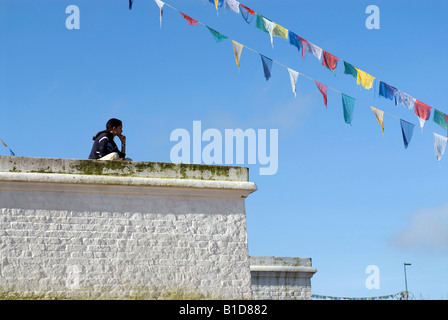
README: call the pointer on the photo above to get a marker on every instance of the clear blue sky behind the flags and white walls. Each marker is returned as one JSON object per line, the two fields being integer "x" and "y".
{"x": 344, "y": 195}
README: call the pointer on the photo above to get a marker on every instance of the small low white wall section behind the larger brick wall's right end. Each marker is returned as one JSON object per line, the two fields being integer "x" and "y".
{"x": 281, "y": 278}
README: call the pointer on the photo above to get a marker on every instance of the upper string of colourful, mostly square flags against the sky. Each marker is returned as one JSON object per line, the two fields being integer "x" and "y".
{"x": 330, "y": 61}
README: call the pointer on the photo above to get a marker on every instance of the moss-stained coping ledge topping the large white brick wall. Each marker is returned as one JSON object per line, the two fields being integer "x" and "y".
{"x": 130, "y": 173}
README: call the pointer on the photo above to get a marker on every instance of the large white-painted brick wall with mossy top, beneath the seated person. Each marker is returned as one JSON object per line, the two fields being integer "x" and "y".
{"x": 88, "y": 228}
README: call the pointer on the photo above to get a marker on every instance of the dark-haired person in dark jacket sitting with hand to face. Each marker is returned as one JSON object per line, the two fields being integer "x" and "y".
{"x": 104, "y": 147}
